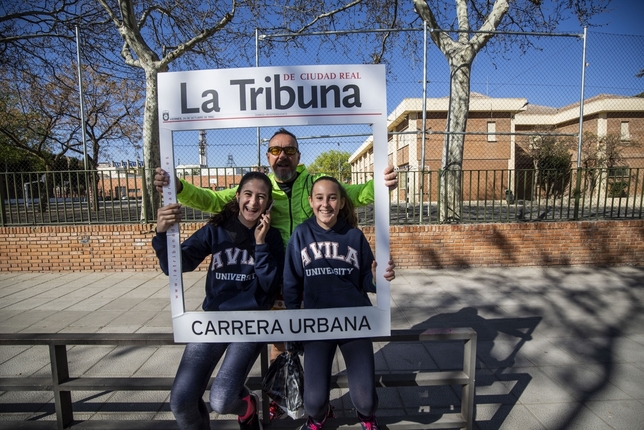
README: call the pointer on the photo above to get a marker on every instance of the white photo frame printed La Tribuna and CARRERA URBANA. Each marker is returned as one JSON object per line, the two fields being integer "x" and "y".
{"x": 268, "y": 96}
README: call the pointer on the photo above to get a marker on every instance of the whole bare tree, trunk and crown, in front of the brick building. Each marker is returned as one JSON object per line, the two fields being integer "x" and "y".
{"x": 473, "y": 23}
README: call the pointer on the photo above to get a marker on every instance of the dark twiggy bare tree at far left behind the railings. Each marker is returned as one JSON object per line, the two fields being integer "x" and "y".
{"x": 41, "y": 114}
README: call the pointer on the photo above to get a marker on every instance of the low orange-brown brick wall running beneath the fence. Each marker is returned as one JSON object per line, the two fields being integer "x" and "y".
{"x": 127, "y": 247}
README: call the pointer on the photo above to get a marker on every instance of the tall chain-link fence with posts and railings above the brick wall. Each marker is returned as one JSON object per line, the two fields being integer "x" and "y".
{"x": 522, "y": 157}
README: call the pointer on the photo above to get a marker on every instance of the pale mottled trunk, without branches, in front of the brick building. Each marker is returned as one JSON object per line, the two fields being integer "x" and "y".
{"x": 452, "y": 161}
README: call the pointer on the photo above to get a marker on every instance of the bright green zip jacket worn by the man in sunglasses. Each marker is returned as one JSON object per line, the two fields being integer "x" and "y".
{"x": 286, "y": 213}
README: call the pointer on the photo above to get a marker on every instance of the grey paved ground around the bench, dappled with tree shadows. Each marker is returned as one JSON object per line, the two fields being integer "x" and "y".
{"x": 559, "y": 348}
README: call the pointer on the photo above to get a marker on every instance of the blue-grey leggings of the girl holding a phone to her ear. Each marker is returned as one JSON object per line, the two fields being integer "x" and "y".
{"x": 197, "y": 364}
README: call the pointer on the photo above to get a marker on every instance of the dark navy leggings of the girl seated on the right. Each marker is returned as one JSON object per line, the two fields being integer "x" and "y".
{"x": 318, "y": 361}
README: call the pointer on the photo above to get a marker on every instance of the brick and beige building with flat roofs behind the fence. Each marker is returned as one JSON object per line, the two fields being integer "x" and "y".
{"x": 491, "y": 143}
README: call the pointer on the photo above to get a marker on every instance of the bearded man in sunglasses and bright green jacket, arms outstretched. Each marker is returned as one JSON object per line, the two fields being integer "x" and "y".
{"x": 291, "y": 186}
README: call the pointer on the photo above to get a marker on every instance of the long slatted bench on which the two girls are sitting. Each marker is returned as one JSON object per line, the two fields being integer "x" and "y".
{"x": 62, "y": 385}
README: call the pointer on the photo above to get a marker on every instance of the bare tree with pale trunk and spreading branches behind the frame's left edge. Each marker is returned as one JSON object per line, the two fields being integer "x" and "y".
{"x": 151, "y": 35}
